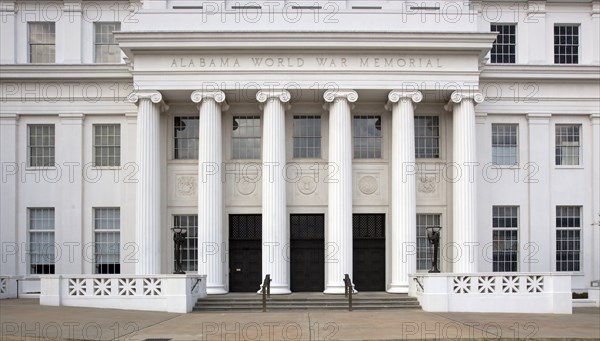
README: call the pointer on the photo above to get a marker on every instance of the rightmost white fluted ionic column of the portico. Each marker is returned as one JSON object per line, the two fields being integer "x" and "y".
{"x": 464, "y": 203}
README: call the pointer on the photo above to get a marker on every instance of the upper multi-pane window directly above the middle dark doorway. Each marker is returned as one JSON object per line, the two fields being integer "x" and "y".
{"x": 307, "y": 136}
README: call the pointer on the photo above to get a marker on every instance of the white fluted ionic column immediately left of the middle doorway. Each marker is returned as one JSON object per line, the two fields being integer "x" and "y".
{"x": 275, "y": 234}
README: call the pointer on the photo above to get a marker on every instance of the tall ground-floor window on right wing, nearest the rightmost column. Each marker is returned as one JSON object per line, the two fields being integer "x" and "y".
{"x": 505, "y": 238}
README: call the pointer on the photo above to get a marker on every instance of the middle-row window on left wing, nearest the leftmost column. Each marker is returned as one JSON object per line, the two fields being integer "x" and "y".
{"x": 107, "y": 145}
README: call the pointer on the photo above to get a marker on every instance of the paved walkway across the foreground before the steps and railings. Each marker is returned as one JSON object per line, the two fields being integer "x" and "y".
{"x": 25, "y": 319}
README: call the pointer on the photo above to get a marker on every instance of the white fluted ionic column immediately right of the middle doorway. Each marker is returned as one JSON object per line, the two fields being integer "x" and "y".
{"x": 338, "y": 236}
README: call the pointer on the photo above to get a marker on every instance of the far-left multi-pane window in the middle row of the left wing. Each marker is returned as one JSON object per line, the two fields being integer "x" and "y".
{"x": 40, "y": 144}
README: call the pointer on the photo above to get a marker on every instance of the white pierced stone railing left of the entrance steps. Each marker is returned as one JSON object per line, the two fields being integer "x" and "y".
{"x": 170, "y": 293}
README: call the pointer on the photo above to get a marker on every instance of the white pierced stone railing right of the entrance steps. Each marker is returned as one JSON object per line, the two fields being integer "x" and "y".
{"x": 493, "y": 292}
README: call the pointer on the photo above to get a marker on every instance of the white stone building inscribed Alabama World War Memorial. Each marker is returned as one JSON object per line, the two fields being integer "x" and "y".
{"x": 301, "y": 139}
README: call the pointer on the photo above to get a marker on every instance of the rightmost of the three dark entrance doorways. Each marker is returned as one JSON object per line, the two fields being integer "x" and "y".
{"x": 368, "y": 256}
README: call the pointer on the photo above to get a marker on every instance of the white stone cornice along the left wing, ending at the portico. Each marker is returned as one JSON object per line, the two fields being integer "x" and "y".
{"x": 64, "y": 71}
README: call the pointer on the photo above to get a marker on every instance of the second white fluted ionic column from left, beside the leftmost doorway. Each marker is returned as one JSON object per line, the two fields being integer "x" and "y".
{"x": 210, "y": 190}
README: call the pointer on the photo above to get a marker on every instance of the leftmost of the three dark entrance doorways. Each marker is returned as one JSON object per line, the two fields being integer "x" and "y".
{"x": 245, "y": 252}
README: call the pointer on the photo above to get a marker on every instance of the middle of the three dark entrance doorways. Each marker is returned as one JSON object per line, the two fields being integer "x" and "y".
{"x": 307, "y": 252}
